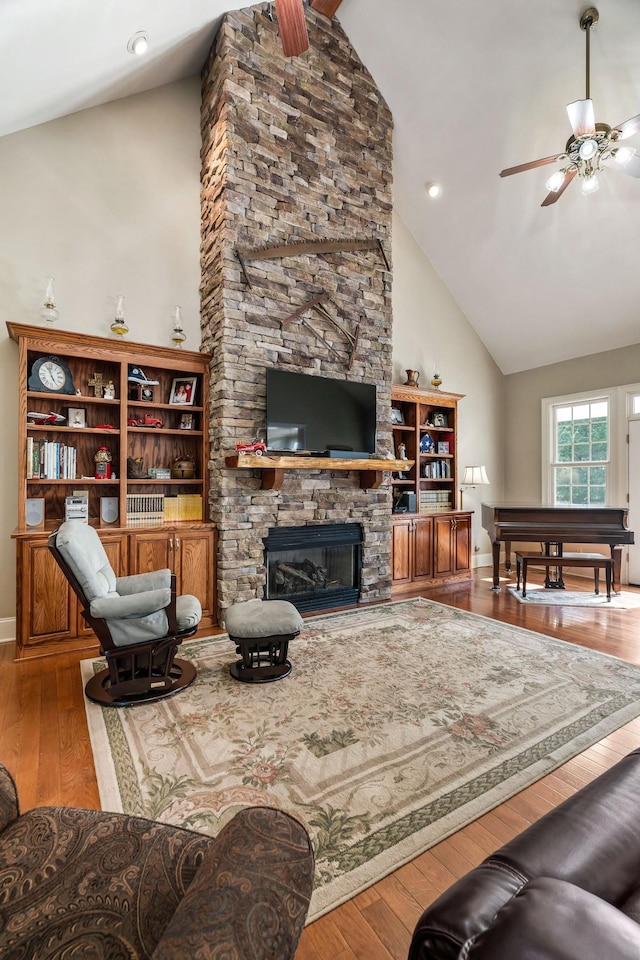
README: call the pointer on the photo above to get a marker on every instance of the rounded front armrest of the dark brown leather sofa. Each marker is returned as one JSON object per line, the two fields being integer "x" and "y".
{"x": 555, "y": 920}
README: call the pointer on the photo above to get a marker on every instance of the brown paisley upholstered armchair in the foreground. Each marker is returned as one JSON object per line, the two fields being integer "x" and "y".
{"x": 96, "y": 885}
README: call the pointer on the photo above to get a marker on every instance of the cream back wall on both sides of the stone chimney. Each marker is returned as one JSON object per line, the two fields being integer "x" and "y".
{"x": 107, "y": 201}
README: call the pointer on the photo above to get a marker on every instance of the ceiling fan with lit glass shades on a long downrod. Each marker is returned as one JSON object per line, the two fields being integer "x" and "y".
{"x": 592, "y": 144}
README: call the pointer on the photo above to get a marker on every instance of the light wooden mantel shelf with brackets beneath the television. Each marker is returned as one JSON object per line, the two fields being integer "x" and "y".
{"x": 371, "y": 471}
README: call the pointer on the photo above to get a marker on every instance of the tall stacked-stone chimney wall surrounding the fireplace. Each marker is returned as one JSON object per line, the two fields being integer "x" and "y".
{"x": 293, "y": 150}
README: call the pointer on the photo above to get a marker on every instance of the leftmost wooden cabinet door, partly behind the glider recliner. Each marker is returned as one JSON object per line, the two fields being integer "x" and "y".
{"x": 46, "y": 606}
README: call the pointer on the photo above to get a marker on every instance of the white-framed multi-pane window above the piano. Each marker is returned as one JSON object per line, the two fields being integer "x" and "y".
{"x": 580, "y": 458}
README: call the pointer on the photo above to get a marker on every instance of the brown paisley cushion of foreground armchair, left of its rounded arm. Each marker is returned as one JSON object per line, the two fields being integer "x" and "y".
{"x": 107, "y": 884}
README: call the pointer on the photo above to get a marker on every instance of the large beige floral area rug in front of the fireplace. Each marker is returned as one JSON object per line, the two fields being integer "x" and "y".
{"x": 398, "y": 725}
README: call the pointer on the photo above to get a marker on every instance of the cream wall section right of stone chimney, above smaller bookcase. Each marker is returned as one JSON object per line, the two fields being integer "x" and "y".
{"x": 428, "y": 326}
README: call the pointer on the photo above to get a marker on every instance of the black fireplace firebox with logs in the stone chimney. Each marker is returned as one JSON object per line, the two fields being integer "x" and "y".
{"x": 314, "y": 567}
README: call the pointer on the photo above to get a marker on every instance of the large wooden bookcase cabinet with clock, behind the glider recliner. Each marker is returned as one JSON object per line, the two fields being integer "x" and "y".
{"x": 155, "y": 437}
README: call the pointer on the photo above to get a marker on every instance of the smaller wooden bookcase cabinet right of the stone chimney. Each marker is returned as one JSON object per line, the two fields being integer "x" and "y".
{"x": 431, "y": 540}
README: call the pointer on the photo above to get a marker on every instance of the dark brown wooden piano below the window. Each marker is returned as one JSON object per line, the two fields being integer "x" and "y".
{"x": 553, "y": 526}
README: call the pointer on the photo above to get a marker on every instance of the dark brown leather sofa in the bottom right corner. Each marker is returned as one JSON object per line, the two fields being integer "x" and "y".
{"x": 567, "y": 888}
